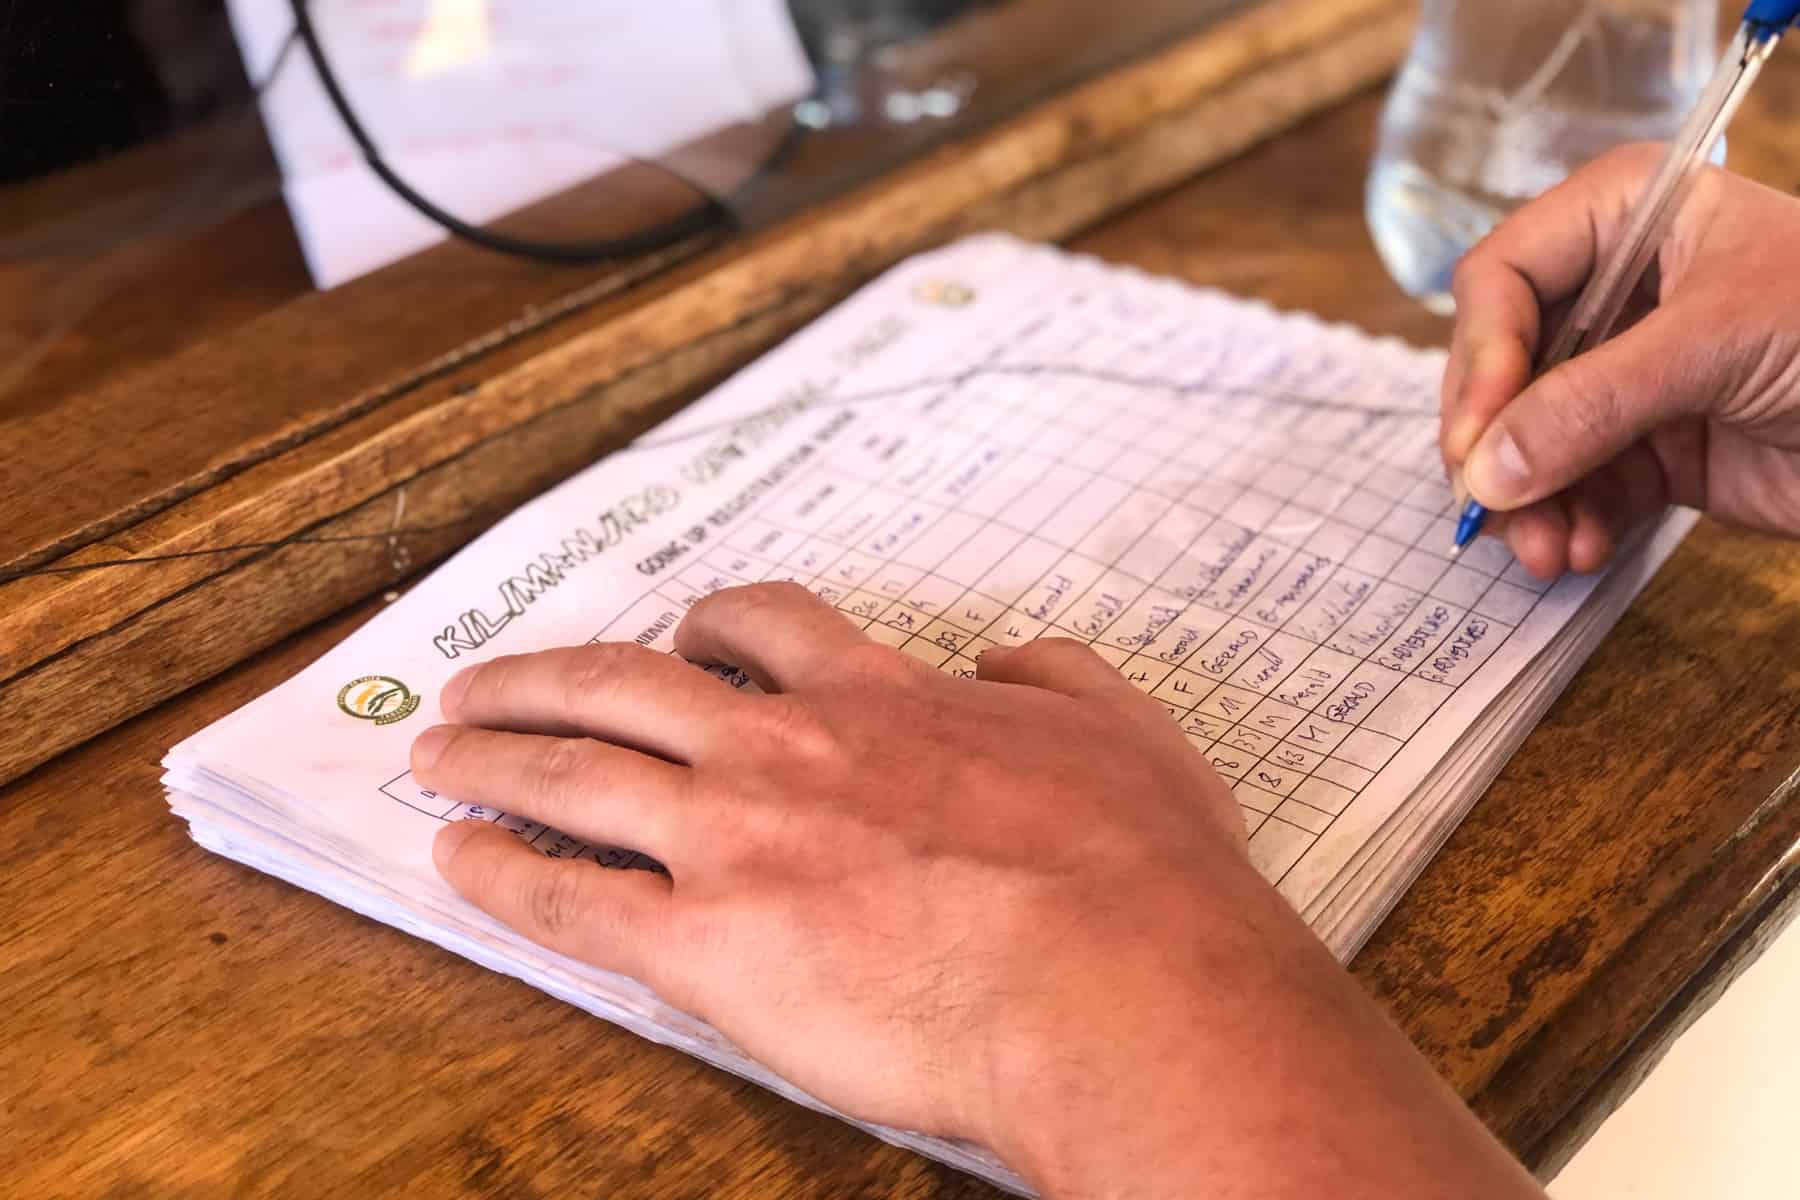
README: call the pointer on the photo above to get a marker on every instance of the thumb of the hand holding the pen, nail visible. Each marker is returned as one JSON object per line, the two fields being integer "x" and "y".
{"x": 1588, "y": 411}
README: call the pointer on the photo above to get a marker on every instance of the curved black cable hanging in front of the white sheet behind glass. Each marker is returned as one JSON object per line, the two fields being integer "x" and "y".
{"x": 712, "y": 213}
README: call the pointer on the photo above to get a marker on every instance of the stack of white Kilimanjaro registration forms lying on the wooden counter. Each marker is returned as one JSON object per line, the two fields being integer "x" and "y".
{"x": 996, "y": 442}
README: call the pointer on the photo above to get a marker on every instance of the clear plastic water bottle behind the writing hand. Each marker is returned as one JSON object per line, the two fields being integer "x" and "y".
{"x": 1500, "y": 100}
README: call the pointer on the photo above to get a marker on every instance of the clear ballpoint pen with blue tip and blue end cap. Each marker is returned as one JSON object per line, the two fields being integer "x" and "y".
{"x": 1608, "y": 289}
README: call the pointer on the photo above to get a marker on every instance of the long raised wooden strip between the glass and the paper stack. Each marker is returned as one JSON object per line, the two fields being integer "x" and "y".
{"x": 73, "y": 641}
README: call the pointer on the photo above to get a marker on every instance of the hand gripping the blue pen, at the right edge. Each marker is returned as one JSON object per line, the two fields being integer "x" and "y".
{"x": 1696, "y": 404}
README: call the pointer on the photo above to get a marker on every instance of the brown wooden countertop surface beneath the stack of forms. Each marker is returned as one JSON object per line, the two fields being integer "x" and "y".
{"x": 175, "y": 1025}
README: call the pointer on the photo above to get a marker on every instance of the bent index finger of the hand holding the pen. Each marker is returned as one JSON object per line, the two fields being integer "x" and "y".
{"x": 1534, "y": 260}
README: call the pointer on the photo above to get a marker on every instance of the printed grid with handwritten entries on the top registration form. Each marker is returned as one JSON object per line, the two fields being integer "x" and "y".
{"x": 1272, "y": 568}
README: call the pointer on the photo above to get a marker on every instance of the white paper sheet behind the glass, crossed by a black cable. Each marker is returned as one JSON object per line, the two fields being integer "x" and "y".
{"x": 489, "y": 105}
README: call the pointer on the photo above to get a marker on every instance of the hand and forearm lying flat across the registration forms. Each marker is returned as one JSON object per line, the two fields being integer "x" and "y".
{"x": 1012, "y": 909}
